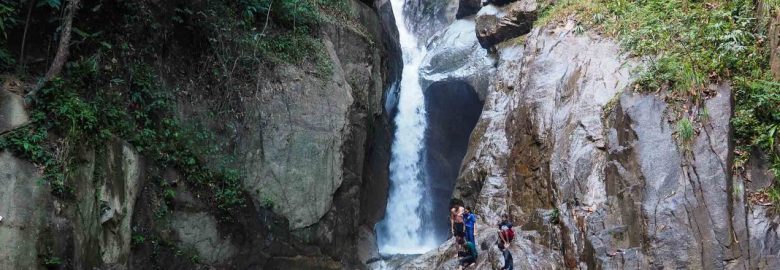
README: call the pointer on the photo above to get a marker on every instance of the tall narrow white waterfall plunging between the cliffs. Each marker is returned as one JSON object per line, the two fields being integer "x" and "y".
{"x": 401, "y": 230}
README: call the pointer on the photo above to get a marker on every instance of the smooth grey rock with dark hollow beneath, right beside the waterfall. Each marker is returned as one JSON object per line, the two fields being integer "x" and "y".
{"x": 454, "y": 76}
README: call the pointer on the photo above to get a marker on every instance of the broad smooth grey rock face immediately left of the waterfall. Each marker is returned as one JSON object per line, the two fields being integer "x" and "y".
{"x": 317, "y": 145}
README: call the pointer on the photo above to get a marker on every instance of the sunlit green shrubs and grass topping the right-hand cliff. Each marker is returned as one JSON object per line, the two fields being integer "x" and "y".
{"x": 691, "y": 41}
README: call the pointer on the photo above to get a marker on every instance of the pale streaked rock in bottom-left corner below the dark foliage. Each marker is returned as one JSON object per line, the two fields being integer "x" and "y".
{"x": 94, "y": 232}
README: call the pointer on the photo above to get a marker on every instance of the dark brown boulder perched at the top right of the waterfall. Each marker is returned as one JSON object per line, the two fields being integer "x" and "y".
{"x": 495, "y": 25}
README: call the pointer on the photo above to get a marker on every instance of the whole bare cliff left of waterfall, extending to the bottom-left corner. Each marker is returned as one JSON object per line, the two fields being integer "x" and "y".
{"x": 316, "y": 146}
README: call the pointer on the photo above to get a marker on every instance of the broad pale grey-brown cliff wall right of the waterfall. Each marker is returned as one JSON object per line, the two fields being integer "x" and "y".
{"x": 596, "y": 175}
